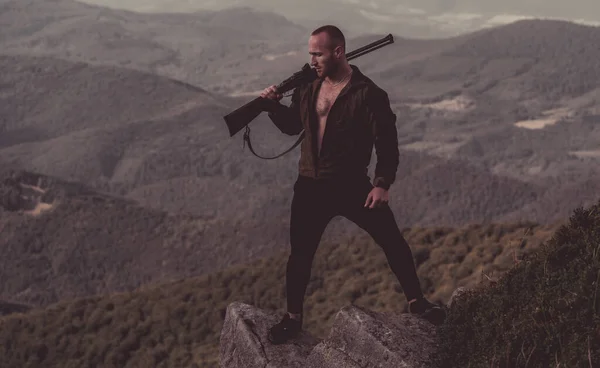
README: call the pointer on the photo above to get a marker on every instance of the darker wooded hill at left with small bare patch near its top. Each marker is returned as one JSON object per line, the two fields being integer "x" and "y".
{"x": 62, "y": 240}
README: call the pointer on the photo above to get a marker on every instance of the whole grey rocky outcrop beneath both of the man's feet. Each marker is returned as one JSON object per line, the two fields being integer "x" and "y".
{"x": 359, "y": 338}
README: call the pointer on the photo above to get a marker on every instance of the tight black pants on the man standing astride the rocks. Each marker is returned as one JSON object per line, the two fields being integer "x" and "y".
{"x": 314, "y": 204}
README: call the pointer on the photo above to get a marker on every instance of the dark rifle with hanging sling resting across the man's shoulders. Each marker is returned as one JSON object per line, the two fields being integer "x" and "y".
{"x": 242, "y": 116}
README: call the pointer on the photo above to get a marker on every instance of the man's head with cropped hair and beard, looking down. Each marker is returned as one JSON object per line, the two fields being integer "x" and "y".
{"x": 327, "y": 47}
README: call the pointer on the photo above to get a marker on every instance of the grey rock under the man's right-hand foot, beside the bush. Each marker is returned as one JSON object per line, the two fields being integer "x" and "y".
{"x": 362, "y": 338}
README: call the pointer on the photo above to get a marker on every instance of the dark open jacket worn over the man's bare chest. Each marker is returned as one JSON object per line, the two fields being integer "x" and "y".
{"x": 360, "y": 118}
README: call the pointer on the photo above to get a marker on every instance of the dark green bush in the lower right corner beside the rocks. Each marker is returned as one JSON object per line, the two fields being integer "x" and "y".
{"x": 543, "y": 312}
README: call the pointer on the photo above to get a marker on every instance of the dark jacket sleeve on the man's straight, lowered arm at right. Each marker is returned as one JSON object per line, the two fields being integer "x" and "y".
{"x": 385, "y": 135}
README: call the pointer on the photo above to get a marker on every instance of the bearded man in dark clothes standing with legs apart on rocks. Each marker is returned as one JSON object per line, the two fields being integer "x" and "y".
{"x": 344, "y": 114}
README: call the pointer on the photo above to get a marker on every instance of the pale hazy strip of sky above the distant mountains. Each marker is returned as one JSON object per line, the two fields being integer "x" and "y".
{"x": 409, "y": 18}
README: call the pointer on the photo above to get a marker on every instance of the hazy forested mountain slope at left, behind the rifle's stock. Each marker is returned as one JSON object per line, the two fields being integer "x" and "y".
{"x": 134, "y": 134}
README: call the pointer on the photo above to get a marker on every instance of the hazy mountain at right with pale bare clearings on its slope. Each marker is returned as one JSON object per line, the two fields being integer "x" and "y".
{"x": 519, "y": 99}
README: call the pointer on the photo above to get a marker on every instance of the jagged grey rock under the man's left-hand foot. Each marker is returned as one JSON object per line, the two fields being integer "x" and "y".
{"x": 244, "y": 341}
